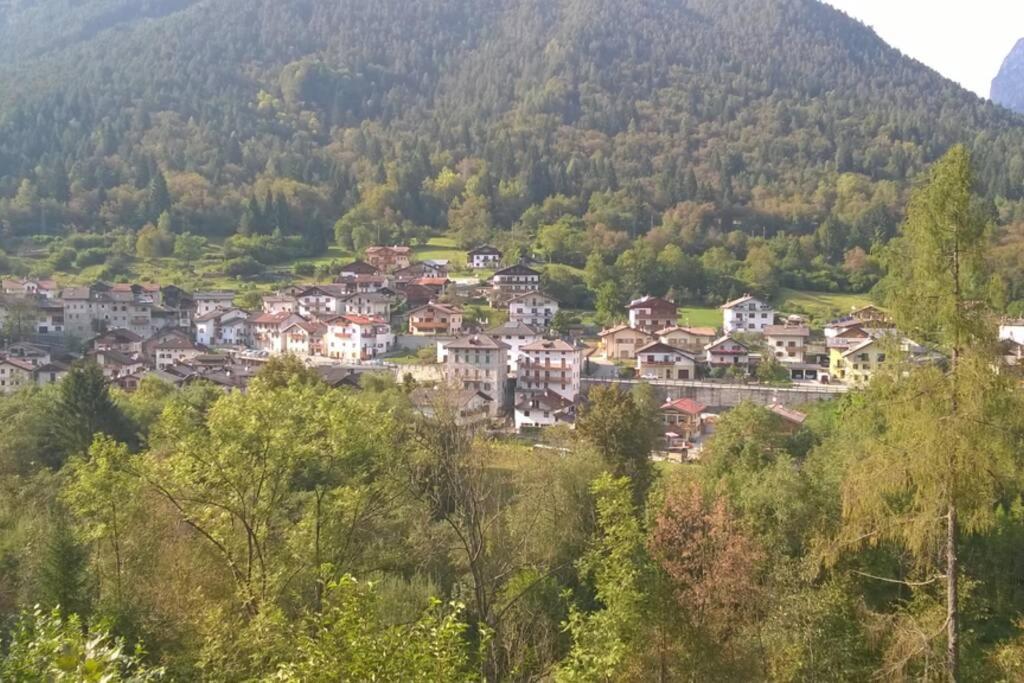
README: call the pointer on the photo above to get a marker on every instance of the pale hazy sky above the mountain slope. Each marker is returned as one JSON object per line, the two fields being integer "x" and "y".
{"x": 964, "y": 40}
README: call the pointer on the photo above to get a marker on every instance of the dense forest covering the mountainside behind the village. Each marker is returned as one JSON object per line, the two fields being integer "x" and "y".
{"x": 773, "y": 143}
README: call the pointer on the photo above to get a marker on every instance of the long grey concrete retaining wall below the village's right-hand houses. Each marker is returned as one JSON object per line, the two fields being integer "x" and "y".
{"x": 715, "y": 395}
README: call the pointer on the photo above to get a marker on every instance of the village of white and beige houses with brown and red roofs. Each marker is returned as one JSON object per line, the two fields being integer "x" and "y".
{"x": 519, "y": 375}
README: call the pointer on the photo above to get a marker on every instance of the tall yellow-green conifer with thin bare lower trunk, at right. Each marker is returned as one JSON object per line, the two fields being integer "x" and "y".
{"x": 933, "y": 447}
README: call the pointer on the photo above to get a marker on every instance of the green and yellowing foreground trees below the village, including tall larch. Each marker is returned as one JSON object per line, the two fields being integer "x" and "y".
{"x": 300, "y": 533}
